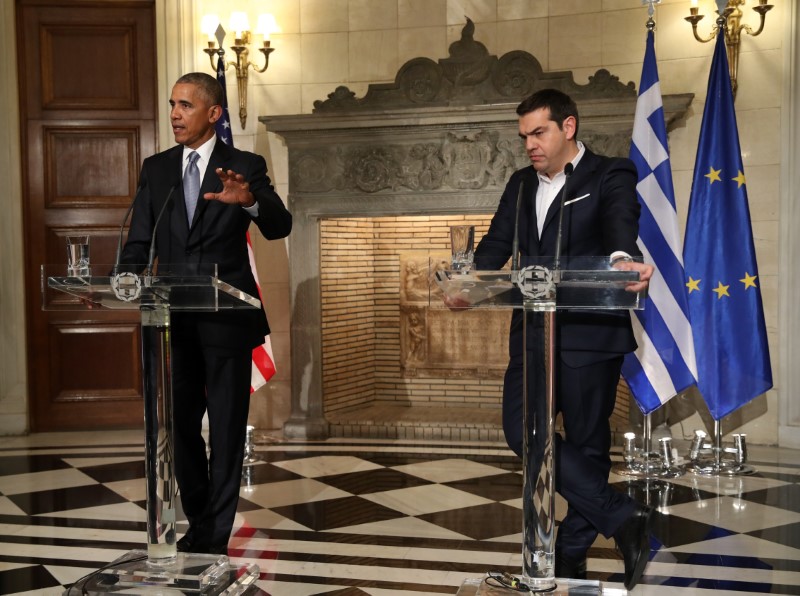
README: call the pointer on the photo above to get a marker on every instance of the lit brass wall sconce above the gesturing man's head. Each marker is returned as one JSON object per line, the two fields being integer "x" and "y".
{"x": 240, "y": 25}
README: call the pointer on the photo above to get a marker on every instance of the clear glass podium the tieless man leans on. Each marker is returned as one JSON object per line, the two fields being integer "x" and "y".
{"x": 541, "y": 289}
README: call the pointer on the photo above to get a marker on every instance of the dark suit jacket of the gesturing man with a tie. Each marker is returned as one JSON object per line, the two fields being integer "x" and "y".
{"x": 217, "y": 235}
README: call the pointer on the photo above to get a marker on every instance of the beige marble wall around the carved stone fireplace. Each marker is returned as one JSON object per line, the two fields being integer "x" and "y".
{"x": 325, "y": 43}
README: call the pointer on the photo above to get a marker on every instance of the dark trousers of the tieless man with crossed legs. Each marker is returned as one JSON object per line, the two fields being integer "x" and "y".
{"x": 585, "y": 397}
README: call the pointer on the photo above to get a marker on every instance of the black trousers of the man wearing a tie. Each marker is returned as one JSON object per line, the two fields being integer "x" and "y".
{"x": 216, "y": 380}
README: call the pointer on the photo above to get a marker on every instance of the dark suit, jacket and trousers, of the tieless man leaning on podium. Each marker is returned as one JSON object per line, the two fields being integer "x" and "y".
{"x": 600, "y": 216}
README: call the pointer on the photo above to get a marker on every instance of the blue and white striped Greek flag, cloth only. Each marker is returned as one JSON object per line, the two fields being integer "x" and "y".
{"x": 664, "y": 364}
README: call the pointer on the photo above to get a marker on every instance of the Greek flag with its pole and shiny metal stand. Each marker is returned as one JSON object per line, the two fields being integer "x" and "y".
{"x": 649, "y": 151}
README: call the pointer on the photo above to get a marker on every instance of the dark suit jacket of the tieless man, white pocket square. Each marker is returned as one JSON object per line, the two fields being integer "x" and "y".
{"x": 602, "y": 219}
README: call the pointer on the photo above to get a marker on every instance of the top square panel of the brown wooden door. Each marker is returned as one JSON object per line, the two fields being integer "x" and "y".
{"x": 80, "y": 56}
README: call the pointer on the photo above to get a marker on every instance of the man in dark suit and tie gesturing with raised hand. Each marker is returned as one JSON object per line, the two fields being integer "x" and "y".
{"x": 215, "y": 193}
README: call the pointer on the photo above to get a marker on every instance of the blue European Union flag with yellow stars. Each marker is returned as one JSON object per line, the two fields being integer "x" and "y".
{"x": 730, "y": 336}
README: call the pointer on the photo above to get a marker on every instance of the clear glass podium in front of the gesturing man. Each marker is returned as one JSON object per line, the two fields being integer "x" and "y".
{"x": 155, "y": 295}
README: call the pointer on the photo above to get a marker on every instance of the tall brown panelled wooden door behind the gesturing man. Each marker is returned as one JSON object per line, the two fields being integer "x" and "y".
{"x": 87, "y": 74}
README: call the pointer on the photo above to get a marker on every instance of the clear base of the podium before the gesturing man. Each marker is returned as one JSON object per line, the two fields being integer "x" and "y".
{"x": 189, "y": 574}
